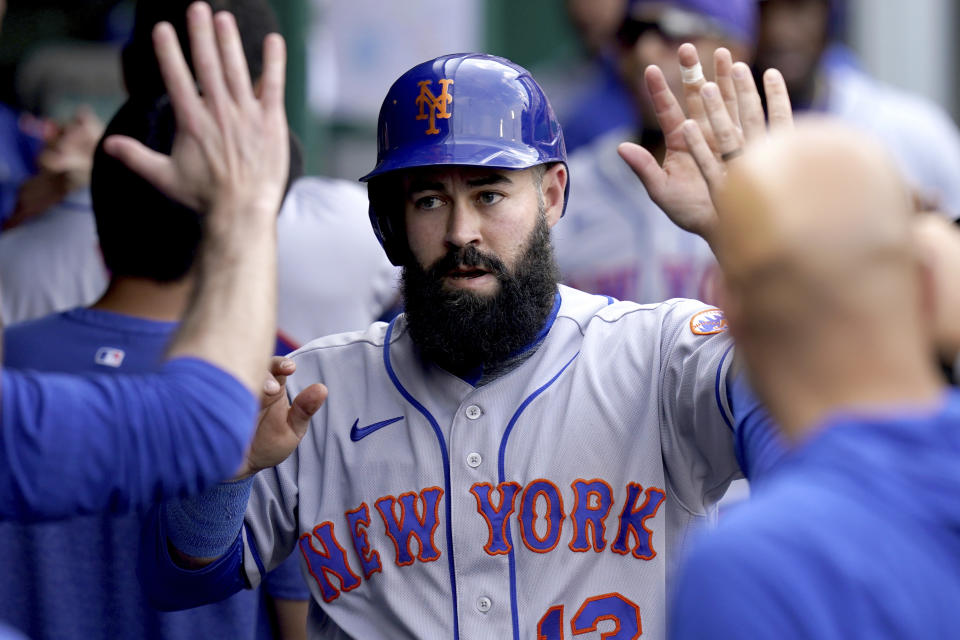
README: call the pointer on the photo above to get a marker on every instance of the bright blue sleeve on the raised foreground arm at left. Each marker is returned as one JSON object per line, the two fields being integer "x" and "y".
{"x": 72, "y": 444}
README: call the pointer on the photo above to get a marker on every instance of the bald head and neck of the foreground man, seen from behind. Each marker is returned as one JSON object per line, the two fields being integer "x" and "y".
{"x": 822, "y": 274}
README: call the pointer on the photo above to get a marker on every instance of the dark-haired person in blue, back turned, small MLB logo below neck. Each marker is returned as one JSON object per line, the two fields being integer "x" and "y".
{"x": 149, "y": 243}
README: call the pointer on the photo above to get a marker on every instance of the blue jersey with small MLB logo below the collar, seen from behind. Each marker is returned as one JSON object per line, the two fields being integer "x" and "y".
{"x": 77, "y": 578}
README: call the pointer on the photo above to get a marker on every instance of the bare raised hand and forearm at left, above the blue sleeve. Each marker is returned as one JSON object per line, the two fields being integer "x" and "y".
{"x": 229, "y": 160}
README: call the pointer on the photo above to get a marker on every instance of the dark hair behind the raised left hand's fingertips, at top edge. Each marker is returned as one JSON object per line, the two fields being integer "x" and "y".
{"x": 255, "y": 19}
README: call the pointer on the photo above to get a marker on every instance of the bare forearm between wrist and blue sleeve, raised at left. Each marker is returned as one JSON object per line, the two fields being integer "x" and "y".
{"x": 231, "y": 321}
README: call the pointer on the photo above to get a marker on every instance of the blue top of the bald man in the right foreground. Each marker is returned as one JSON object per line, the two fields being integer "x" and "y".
{"x": 856, "y": 534}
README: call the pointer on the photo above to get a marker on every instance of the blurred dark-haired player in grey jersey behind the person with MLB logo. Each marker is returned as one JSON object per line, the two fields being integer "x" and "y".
{"x": 323, "y": 225}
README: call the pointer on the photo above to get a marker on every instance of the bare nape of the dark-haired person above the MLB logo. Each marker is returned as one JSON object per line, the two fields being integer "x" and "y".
{"x": 144, "y": 298}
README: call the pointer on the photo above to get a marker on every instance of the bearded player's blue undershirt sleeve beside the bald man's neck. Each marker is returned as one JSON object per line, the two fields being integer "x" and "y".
{"x": 758, "y": 445}
